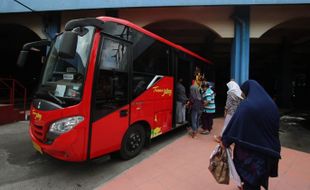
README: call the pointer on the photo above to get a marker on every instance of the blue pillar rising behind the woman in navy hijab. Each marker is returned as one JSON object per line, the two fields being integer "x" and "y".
{"x": 241, "y": 45}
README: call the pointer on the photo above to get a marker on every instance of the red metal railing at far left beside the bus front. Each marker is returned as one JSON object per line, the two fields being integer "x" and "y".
{"x": 14, "y": 89}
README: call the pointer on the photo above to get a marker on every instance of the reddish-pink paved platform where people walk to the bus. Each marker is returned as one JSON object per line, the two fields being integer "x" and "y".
{"x": 183, "y": 165}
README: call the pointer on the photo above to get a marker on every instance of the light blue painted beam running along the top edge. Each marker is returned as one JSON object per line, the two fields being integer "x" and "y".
{"x": 11, "y": 6}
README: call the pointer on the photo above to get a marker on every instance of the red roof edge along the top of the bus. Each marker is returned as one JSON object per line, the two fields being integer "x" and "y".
{"x": 140, "y": 29}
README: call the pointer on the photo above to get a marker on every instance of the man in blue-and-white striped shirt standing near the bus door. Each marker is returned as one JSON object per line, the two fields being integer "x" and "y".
{"x": 208, "y": 97}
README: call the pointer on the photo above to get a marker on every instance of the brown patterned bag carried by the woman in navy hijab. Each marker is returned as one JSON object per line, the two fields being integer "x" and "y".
{"x": 218, "y": 165}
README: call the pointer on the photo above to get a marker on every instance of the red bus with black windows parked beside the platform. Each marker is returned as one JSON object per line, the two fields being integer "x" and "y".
{"x": 107, "y": 86}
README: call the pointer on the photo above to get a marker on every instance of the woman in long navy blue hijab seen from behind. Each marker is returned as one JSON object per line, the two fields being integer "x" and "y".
{"x": 254, "y": 131}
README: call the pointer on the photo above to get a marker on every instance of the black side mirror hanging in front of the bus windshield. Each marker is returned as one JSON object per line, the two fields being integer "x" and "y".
{"x": 68, "y": 44}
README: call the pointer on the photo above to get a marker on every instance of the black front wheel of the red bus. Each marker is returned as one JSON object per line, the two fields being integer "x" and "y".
{"x": 133, "y": 142}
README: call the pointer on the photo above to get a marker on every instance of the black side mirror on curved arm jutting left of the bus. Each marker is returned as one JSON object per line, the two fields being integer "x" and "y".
{"x": 27, "y": 47}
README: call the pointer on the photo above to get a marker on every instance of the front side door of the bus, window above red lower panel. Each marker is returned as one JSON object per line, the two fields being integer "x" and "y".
{"x": 110, "y": 106}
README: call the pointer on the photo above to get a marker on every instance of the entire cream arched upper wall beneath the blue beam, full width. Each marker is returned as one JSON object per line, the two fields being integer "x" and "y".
{"x": 218, "y": 19}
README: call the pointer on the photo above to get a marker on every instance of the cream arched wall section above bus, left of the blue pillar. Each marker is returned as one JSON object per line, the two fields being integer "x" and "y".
{"x": 215, "y": 18}
